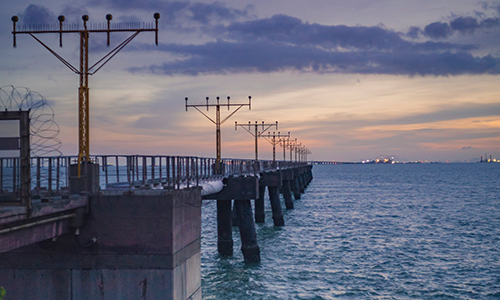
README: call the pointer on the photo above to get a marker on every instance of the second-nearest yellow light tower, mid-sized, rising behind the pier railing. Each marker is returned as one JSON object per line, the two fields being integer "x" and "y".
{"x": 218, "y": 122}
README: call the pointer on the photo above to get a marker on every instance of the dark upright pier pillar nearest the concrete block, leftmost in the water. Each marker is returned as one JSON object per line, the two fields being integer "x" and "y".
{"x": 224, "y": 228}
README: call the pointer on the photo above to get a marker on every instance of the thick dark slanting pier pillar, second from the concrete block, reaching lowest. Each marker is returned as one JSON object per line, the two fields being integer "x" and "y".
{"x": 249, "y": 246}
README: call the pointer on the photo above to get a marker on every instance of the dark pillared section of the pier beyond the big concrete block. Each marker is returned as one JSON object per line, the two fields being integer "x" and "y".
{"x": 241, "y": 189}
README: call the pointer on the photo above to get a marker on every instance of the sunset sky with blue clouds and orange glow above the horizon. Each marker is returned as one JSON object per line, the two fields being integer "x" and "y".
{"x": 351, "y": 80}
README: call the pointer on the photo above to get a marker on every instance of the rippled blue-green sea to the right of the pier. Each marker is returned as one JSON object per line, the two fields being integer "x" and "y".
{"x": 418, "y": 231}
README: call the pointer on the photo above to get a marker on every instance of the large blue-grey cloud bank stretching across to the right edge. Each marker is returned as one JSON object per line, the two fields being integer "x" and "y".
{"x": 285, "y": 43}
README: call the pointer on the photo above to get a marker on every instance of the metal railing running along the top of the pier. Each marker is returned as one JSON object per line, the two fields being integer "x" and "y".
{"x": 51, "y": 176}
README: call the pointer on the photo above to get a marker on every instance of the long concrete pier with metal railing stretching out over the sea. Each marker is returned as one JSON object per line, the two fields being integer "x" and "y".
{"x": 129, "y": 227}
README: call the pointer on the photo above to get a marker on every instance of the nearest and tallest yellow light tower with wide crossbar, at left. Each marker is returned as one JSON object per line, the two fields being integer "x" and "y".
{"x": 84, "y": 71}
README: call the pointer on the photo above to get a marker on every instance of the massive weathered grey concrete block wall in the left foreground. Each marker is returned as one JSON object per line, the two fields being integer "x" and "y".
{"x": 148, "y": 247}
